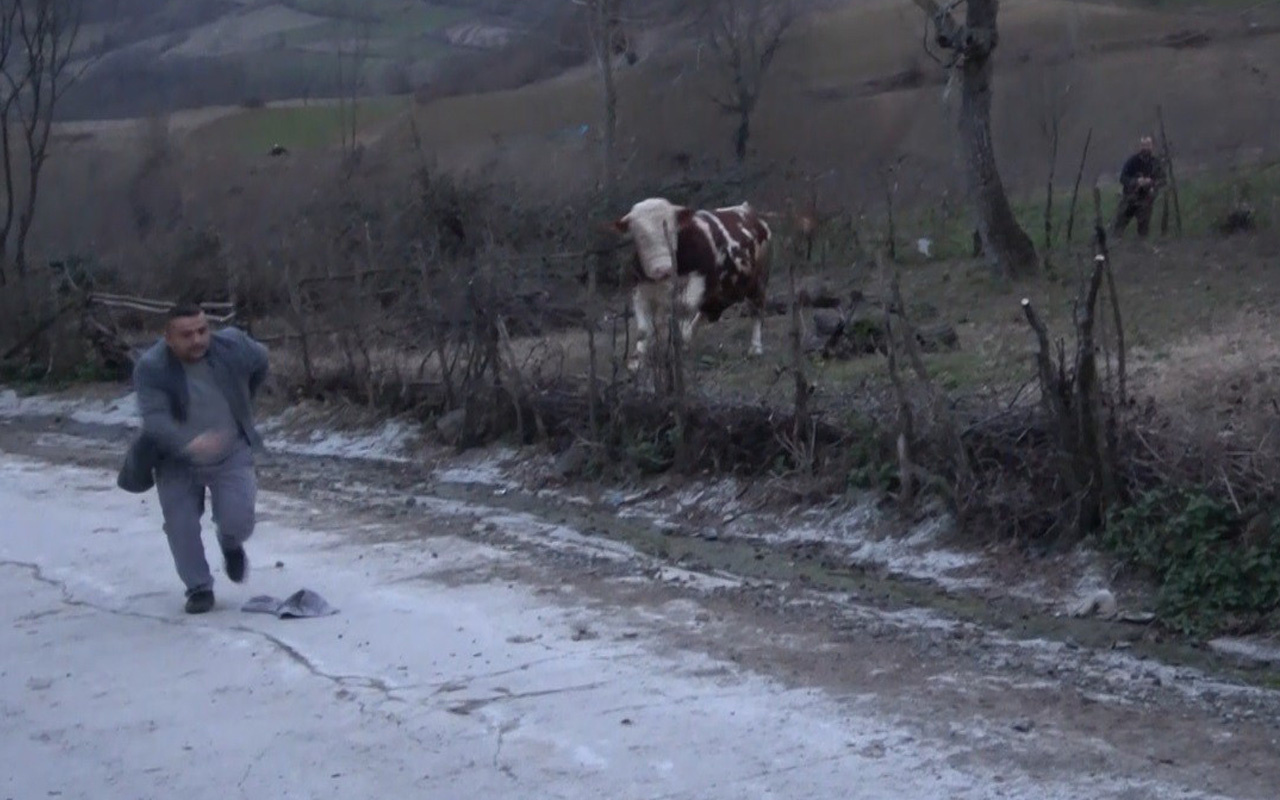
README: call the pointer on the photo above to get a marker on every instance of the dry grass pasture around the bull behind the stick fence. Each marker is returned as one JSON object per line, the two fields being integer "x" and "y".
{"x": 1197, "y": 314}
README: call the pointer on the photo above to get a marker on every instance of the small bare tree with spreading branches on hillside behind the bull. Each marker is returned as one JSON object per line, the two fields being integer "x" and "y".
{"x": 744, "y": 38}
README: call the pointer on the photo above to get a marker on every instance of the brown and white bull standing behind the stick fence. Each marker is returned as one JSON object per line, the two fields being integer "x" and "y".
{"x": 720, "y": 257}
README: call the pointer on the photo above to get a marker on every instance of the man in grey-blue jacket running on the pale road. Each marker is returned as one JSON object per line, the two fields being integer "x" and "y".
{"x": 196, "y": 396}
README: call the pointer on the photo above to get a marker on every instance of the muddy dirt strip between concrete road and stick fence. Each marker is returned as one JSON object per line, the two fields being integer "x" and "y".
{"x": 1008, "y": 702}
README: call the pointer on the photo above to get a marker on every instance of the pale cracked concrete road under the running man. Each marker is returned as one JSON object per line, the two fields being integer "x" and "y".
{"x": 436, "y": 679}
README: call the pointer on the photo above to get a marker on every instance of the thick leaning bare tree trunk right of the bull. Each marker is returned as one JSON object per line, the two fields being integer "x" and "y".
{"x": 972, "y": 47}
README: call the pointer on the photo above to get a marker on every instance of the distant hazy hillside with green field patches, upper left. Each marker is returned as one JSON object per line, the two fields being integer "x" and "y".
{"x": 162, "y": 56}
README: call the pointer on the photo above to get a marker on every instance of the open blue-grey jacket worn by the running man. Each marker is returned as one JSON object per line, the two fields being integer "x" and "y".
{"x": 240, "y": 367}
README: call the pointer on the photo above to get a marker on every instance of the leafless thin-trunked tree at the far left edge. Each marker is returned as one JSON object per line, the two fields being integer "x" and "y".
{"x": 38, "y": 42}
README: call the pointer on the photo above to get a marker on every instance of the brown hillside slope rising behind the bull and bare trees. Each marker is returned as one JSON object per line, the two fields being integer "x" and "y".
{"x": 854, "y": 90}
